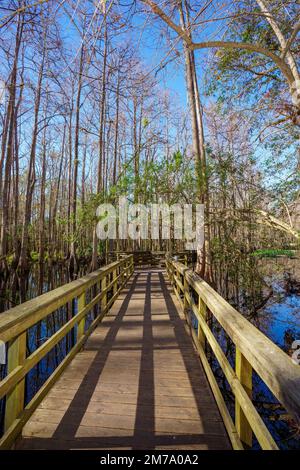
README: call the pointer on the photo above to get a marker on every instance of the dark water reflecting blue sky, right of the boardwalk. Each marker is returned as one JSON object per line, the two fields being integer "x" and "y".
{"x": 268, "y": 296}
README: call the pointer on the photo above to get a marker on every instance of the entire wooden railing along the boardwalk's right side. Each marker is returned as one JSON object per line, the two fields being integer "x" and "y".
{"x": 253, "y": 351}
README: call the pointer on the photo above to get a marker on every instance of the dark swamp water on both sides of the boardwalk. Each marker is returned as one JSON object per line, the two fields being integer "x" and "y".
{"x": 269, "y": 297}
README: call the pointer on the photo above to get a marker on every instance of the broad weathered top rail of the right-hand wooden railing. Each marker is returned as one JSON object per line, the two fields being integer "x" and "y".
{"x": 272, "y": 364}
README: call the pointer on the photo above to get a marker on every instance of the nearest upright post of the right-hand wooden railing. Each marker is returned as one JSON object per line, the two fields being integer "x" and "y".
{"x": 243, "y": 371}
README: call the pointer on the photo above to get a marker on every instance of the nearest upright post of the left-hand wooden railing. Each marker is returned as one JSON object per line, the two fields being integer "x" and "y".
{"x": 15, "y": 399}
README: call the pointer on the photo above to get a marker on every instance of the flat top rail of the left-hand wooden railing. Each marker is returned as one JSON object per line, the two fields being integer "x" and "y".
{"x": 18, "y": 319}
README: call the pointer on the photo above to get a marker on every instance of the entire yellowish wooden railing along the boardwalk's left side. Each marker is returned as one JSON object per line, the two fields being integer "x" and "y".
{"x": 102, "y": 285}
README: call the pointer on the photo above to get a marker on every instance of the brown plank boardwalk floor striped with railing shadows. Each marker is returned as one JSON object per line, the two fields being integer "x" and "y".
{"x": 138, "y": 384}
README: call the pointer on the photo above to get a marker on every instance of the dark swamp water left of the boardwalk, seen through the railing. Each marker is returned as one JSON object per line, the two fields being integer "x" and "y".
{"x": 12, "y": 293}
